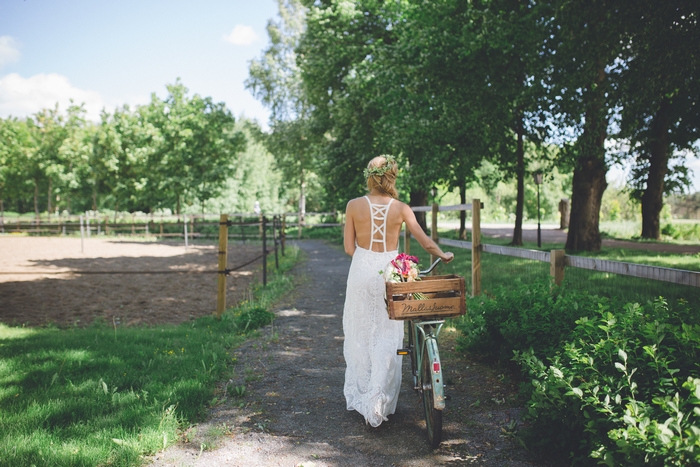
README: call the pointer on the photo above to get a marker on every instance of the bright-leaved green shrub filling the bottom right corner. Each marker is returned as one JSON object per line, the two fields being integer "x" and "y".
{"x": 623, "y": 391}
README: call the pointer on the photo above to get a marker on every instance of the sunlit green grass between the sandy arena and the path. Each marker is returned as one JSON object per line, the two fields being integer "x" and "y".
{"x": 107, "y": 396}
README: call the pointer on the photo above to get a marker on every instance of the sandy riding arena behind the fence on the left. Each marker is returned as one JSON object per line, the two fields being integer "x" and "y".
{"x": 41, "y": 281}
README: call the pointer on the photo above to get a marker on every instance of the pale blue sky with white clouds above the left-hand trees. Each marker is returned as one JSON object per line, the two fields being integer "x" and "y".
{"x": 110, "y": 53}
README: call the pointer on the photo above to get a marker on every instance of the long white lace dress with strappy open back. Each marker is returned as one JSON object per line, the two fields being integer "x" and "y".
{"x": 373, "y": 373}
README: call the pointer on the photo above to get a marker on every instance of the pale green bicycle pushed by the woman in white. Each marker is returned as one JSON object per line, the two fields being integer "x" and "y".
{"x": 426, "y": 367}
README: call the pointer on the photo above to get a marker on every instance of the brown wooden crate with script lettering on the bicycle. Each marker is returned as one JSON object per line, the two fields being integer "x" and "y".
{"x": 445, "y": 294}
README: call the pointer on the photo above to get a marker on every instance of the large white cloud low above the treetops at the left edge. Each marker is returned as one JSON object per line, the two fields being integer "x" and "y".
{"x": 22, "y": 97}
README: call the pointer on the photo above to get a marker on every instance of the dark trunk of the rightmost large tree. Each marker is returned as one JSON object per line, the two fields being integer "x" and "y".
{"x": 652, "y": 198}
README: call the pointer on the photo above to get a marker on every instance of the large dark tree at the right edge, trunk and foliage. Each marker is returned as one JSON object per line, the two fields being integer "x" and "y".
{"x": 658, "y": 94}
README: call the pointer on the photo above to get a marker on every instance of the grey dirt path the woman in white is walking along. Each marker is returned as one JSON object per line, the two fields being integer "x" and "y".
{"x": 293, "y": 413}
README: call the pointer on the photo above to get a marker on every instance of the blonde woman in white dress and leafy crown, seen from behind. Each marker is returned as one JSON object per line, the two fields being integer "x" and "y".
{"x": 371, "y": 237}
